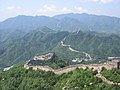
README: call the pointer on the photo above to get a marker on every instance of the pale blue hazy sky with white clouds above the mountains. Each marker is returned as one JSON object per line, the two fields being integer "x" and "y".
{"x": 11, "y": 8}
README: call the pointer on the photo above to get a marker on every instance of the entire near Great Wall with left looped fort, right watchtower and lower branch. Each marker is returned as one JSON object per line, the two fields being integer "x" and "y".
{"x": 47, "y": 57}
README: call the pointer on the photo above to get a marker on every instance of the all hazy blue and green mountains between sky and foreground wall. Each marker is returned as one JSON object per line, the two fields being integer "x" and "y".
{"x": 22, "y": 37}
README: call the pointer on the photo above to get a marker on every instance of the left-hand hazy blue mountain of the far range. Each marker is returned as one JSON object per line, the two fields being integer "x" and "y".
{"x": 22, "y": 25}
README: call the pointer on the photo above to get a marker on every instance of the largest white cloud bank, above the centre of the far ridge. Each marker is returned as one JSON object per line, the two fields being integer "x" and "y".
{"x": 49, "y": 9}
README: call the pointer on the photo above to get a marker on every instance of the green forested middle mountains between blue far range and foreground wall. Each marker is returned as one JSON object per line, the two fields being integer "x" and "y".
{"x": 43, "y": 40}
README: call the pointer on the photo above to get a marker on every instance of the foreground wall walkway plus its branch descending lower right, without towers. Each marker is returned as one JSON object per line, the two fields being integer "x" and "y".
{"x": 66, "y": 69}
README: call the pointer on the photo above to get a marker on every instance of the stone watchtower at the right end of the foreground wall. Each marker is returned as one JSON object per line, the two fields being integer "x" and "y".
{"x": 114, "y": 62}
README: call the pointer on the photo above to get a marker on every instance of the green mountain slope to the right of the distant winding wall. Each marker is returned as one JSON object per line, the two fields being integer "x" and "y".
{"x": 98, "y": 45}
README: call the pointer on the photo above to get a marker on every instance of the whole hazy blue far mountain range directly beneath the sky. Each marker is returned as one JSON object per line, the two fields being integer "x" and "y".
{"x": 21, "y": 25}
